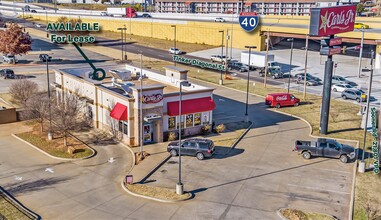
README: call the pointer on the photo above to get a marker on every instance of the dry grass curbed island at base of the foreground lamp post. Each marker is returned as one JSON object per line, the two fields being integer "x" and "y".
{"x": 155, "y": 192}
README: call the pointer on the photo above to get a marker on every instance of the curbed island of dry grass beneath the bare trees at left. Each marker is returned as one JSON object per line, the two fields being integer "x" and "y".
{"x": 55, "y": 147}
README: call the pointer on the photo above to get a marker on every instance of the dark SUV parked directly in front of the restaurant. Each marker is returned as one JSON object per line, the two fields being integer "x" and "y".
{"x": 198, "y": 147}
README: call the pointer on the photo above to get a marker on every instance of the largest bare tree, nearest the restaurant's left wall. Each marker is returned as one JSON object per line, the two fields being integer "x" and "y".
{"x": 68, "y": 114}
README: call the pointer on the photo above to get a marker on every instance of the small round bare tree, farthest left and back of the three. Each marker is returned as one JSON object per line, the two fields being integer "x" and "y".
{"x": 22, "y": 91}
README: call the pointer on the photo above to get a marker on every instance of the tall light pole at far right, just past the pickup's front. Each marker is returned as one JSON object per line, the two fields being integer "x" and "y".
{"x": 362, "y": 162}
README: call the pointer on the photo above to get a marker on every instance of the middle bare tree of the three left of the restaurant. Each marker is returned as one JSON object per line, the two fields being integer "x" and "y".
{"x": 37, "y": 108}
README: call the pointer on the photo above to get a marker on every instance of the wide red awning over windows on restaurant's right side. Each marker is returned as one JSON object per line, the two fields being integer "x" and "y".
{"x": 191, "y": 106}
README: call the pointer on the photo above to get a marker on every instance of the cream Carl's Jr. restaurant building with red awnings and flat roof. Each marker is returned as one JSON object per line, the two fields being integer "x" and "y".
{"x": 113, "y": 103}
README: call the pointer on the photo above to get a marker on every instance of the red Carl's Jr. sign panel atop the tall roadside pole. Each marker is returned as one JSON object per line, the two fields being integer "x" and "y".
{"x": 332, "y": 20}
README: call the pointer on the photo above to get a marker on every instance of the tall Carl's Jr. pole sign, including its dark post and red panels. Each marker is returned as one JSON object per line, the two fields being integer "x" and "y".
{"x": 329, "y": 21}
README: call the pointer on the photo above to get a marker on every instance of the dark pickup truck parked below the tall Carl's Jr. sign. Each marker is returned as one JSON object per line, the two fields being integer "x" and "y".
{"x": 324, "y": 148}
